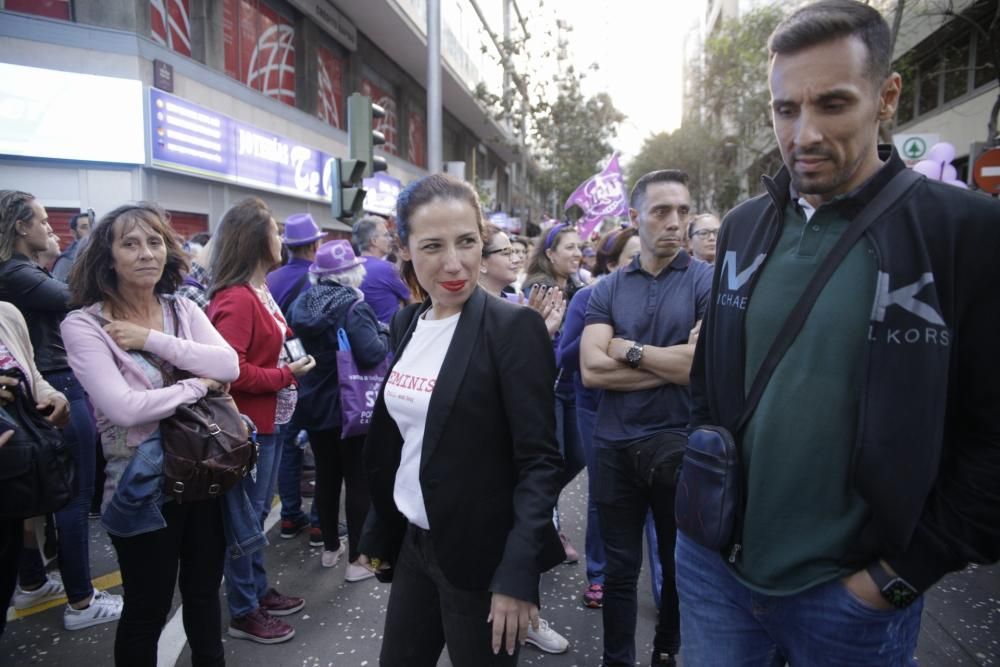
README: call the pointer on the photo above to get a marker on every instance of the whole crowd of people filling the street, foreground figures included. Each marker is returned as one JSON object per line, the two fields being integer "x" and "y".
{"x": 560, "y": 353}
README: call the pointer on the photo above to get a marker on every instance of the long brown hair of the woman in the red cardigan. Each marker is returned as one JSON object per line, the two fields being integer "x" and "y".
{"x": 241, "y": 243}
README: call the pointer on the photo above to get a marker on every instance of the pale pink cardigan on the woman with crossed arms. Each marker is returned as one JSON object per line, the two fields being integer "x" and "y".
{"x": 119, "y": 390}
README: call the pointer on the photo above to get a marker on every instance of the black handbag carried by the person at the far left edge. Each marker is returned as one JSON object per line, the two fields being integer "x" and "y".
{"x": 37, "y": 474}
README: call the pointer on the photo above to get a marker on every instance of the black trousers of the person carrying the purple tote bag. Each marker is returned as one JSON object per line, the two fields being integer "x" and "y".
{"x": 340, "y": 462}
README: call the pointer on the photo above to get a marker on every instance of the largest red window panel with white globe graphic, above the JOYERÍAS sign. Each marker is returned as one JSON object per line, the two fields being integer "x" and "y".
{"x": 259, "y": 48}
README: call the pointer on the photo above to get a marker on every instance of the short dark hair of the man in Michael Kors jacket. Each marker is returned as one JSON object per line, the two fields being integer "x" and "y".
{"x": 829, "y": 20}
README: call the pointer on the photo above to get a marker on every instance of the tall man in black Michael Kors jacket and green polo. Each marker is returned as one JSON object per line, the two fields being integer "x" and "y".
{"x": 871, "y": 462}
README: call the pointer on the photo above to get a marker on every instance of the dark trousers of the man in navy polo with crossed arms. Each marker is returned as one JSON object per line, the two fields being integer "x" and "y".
{"x": 623, "y": 498}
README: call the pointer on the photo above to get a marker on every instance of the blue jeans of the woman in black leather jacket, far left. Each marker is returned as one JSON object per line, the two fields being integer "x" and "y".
{"x": 72, "y": 524}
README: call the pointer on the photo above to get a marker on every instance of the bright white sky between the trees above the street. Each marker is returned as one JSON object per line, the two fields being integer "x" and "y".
{"x": 639, "y": 47}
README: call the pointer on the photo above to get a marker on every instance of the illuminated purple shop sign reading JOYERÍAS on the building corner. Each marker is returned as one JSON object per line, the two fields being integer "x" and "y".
{"x": 191, "y": 139}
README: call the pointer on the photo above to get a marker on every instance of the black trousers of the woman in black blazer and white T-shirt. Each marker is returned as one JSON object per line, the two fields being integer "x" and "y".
{"x": 426, "y": 612}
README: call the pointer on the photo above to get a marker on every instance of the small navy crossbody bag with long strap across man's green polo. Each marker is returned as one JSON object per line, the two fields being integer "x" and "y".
{"x": 711, "y": 494}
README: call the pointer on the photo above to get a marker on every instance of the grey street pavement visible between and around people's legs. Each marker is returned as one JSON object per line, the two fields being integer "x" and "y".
{"x": 341, "y": 625}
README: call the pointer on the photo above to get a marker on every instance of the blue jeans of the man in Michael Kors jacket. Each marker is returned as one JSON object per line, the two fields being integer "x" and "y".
{"x": 726, "y": 623}
